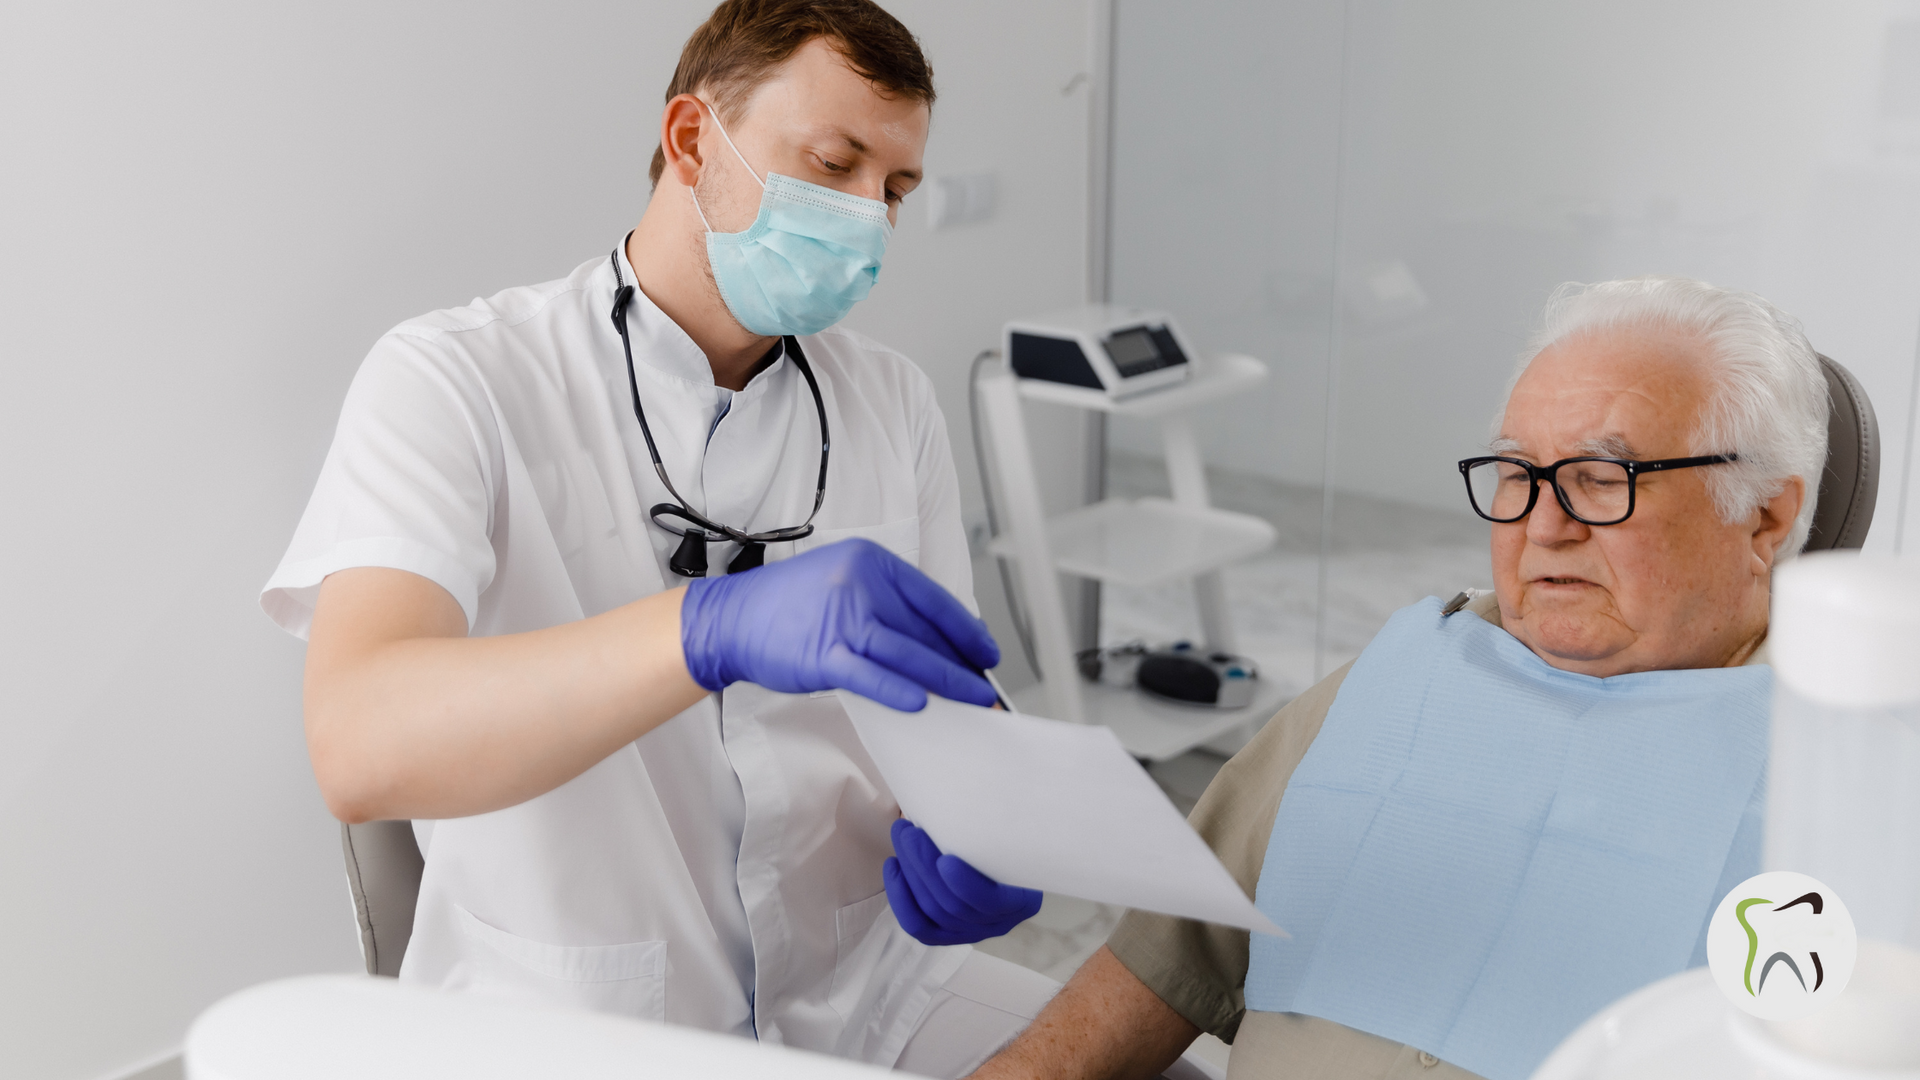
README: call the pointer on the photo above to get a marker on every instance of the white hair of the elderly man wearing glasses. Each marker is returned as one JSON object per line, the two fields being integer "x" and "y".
{"x": 1769, "y": 401}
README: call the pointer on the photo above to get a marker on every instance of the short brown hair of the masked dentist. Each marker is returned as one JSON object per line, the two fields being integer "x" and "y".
{"x": 744, "y": 41}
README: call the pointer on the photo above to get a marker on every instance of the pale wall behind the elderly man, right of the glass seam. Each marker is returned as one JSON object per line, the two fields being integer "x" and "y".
{"x": 1502, "y": 145}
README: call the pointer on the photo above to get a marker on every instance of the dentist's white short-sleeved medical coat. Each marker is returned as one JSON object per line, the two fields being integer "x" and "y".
{"x": 725, "y": 870}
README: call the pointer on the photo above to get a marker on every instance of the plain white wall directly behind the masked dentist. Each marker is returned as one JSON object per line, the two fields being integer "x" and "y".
{"x": 208, "y": 212}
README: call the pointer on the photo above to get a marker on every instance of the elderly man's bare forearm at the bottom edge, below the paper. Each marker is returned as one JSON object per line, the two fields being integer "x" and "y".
{"x": 1103, "y": 1025}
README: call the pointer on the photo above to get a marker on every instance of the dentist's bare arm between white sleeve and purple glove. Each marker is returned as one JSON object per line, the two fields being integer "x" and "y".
{"x": 410, "y": 718}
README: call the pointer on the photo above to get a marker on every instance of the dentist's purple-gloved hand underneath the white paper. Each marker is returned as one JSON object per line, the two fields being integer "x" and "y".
{"x": 942, "y": 900}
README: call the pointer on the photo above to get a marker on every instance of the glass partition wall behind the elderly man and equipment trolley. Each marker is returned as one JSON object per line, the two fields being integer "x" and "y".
{"x": 1378, "y": 197}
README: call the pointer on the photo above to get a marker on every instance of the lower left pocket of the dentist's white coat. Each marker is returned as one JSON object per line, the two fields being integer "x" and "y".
{"x": 627, "y": 979}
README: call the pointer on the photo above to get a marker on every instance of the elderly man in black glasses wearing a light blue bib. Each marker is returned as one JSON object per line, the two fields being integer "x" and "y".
{"x": 1510, "y": 812}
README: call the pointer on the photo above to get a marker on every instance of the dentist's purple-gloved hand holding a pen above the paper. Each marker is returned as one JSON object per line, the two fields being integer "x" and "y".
{"x": 850, "y": 616}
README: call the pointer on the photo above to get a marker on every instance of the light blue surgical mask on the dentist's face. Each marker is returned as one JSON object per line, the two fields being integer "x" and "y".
{"x": 807, "y": 258}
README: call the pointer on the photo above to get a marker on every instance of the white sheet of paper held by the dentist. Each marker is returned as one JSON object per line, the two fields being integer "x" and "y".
{"x": 1049, "y": 806}
